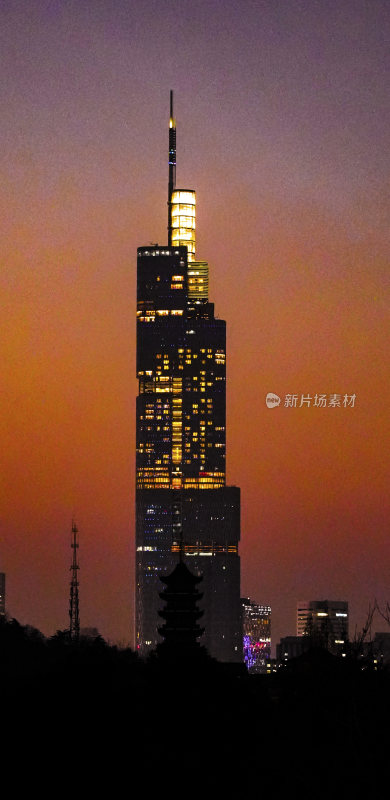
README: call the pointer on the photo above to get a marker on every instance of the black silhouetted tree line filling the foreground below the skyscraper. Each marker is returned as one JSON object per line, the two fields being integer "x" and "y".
{"x": 319, "y": 727}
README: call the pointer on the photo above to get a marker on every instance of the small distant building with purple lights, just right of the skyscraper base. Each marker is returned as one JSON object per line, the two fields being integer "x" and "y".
{"x": 256, "y": 624}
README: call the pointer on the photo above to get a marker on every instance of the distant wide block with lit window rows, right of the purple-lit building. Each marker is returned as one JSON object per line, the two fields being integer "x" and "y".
{"x": 325, "y": 621}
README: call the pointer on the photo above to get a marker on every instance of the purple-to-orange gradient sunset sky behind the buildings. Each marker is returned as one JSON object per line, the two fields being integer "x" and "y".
{"x": 282, "y": 111}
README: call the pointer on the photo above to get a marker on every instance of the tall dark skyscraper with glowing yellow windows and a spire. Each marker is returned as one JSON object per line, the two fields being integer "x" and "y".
{"x": 182, "y": 501}
